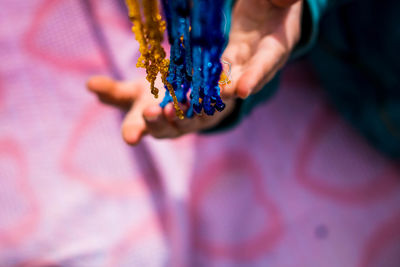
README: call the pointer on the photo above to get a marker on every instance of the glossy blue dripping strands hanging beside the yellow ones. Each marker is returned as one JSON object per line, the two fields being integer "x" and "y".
{"x": 197, "y": 34}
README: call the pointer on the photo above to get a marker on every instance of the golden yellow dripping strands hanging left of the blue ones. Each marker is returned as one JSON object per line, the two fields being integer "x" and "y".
{"x": 149, "y": 34}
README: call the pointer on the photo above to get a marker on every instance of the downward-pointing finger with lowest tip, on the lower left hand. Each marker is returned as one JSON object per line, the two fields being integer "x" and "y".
{"x": 133, "y": 127}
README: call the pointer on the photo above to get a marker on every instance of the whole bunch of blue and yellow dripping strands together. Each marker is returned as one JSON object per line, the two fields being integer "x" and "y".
{"x": 197, "y": 35}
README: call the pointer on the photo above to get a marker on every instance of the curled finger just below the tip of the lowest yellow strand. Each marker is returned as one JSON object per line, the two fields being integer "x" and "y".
{"x": 157, "y": 124}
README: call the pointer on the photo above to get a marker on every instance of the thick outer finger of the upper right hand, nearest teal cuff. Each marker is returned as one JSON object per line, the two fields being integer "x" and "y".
{"x": 261, "y": 68}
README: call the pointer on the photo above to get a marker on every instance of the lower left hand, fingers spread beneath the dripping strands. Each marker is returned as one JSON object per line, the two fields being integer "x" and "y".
{"x": 145, "y": 116}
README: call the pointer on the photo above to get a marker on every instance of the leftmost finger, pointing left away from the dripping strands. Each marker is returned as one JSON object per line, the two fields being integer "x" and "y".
{"x": 112, "y": 92}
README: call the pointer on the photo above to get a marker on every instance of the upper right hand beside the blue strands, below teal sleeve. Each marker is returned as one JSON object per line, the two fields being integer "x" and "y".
{"x": 263, "y": 34}
